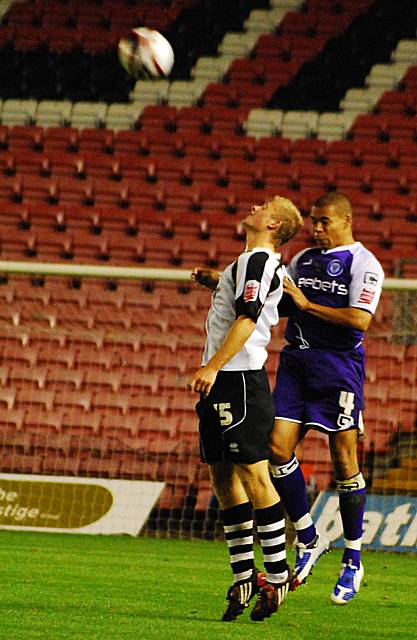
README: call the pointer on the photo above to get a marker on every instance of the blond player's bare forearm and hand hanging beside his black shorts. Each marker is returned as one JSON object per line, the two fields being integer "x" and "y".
{"x": 205, "y": 377}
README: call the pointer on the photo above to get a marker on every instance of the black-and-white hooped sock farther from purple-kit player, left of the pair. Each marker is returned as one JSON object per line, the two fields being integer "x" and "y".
{"x": 238, "y": 529}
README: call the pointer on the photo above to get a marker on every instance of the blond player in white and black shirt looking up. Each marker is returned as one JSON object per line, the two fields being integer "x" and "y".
{"x": 236, "y": 410}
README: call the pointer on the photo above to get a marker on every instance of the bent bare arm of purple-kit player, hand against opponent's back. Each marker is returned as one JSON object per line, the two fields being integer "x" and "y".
{"x": 347, "y": 316}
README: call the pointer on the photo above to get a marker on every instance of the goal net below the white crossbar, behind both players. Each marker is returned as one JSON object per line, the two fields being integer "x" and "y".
{"x": 94, "y": 365}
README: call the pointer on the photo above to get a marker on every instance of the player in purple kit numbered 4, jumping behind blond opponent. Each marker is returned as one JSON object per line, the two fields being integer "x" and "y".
{"x": 332, "y": 292}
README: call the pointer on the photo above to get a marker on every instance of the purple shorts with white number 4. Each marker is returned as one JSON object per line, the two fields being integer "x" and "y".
{"x": 321, "y": 389}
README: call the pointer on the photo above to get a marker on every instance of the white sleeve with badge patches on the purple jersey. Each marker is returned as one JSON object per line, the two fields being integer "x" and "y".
{"x": 367, "y": 277}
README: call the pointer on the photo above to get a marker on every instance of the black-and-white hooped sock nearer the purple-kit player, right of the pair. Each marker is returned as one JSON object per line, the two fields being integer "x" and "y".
{"x": 271, "y": 531}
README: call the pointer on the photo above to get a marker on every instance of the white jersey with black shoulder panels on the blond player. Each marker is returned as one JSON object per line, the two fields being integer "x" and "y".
{"x": 252, "y": 287}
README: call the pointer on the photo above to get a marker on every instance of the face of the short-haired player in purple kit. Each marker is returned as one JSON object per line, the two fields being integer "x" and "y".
{"x": 330, "y": 229}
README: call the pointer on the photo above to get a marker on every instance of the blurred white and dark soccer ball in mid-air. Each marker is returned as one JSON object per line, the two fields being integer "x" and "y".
{"x": 145, "y": 52}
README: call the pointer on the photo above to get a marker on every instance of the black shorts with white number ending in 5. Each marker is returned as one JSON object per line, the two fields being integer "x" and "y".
{"x": 237, "y": 418}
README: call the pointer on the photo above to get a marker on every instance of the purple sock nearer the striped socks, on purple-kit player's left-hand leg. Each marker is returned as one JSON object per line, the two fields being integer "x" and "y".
{"x": 289, "y": 481}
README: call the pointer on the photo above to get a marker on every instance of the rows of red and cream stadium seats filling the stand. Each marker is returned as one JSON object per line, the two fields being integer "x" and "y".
{"x": 168, "y": 189}
